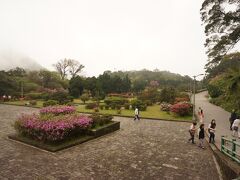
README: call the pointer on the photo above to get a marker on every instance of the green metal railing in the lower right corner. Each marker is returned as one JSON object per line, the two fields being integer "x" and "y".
{"x": 231, "y": 148}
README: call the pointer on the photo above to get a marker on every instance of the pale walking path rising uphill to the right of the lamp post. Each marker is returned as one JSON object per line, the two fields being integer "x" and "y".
{"x": 221, "y": 116}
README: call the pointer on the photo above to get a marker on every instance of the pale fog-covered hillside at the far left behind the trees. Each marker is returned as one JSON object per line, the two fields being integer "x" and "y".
{"x": 10, "y": 60}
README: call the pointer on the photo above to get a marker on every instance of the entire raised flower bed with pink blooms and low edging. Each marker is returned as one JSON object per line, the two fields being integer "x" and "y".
{"x": 59, "y": 127}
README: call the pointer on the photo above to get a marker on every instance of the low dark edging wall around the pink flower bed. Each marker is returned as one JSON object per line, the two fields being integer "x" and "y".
{"x": 54, "y": 147}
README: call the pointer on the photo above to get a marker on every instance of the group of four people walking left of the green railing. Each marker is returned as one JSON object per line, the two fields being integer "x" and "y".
{"x": 201, "y": 131}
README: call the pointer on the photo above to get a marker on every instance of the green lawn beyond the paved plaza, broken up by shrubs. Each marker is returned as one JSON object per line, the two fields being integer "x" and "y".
{"x": 152, "y": 111}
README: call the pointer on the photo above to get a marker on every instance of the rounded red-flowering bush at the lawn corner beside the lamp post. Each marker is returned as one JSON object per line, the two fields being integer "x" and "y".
{"x": 182, "y": 109}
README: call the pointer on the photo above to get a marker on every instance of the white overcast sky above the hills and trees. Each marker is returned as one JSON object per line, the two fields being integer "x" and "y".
{"x": 107, "y": 34}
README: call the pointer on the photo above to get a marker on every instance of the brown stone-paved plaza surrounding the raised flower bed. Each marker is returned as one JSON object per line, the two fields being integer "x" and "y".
{"x": 147, "y": 149}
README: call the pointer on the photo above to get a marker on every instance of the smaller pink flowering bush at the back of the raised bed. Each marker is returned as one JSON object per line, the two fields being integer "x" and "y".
{"x": 58, "y": 110}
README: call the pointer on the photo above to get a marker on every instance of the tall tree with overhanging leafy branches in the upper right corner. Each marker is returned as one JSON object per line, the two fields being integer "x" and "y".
{"x": 222, "y": 28}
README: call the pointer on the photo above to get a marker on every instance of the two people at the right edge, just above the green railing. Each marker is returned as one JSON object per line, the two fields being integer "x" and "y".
{"x": 234, "y": 124}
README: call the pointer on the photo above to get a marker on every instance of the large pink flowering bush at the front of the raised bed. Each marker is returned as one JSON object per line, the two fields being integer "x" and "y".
{"x": 56, "y": 128}
